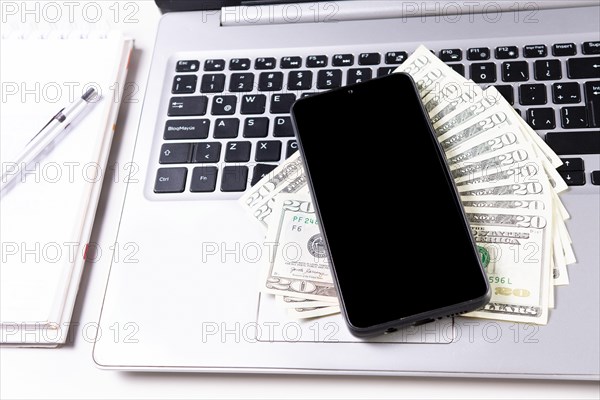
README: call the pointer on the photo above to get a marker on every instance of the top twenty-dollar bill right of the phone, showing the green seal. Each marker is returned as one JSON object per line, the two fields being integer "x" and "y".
{"x": 516, "y": 256}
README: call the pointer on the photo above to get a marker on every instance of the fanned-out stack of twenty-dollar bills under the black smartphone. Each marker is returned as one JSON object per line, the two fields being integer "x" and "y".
{"x": 507, "y": 179}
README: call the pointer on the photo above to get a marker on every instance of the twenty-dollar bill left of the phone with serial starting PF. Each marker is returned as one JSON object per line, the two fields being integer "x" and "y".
{"x": 298, "y": 265}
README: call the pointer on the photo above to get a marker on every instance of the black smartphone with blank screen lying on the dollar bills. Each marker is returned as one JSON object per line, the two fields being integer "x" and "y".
{"x": 400, "y": 247}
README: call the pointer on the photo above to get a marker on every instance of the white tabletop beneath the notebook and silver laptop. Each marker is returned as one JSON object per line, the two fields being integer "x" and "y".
{"x": 69, "y": 372}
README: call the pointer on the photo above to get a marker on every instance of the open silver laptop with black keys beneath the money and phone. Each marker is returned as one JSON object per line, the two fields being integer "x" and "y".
{"x": 183, "y": 294}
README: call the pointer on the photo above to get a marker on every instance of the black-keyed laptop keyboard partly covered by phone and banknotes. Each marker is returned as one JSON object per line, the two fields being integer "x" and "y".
{"x": 228, "y": 122}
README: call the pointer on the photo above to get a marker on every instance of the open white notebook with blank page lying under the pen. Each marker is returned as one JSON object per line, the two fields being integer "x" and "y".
{"x": 46, "y": 218}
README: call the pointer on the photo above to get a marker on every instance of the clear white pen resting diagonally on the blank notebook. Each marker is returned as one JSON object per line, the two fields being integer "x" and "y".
{"x": 61, "y": 121}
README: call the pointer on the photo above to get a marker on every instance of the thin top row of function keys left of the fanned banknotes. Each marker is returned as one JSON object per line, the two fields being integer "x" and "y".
{"x": 293, "y": 62}
